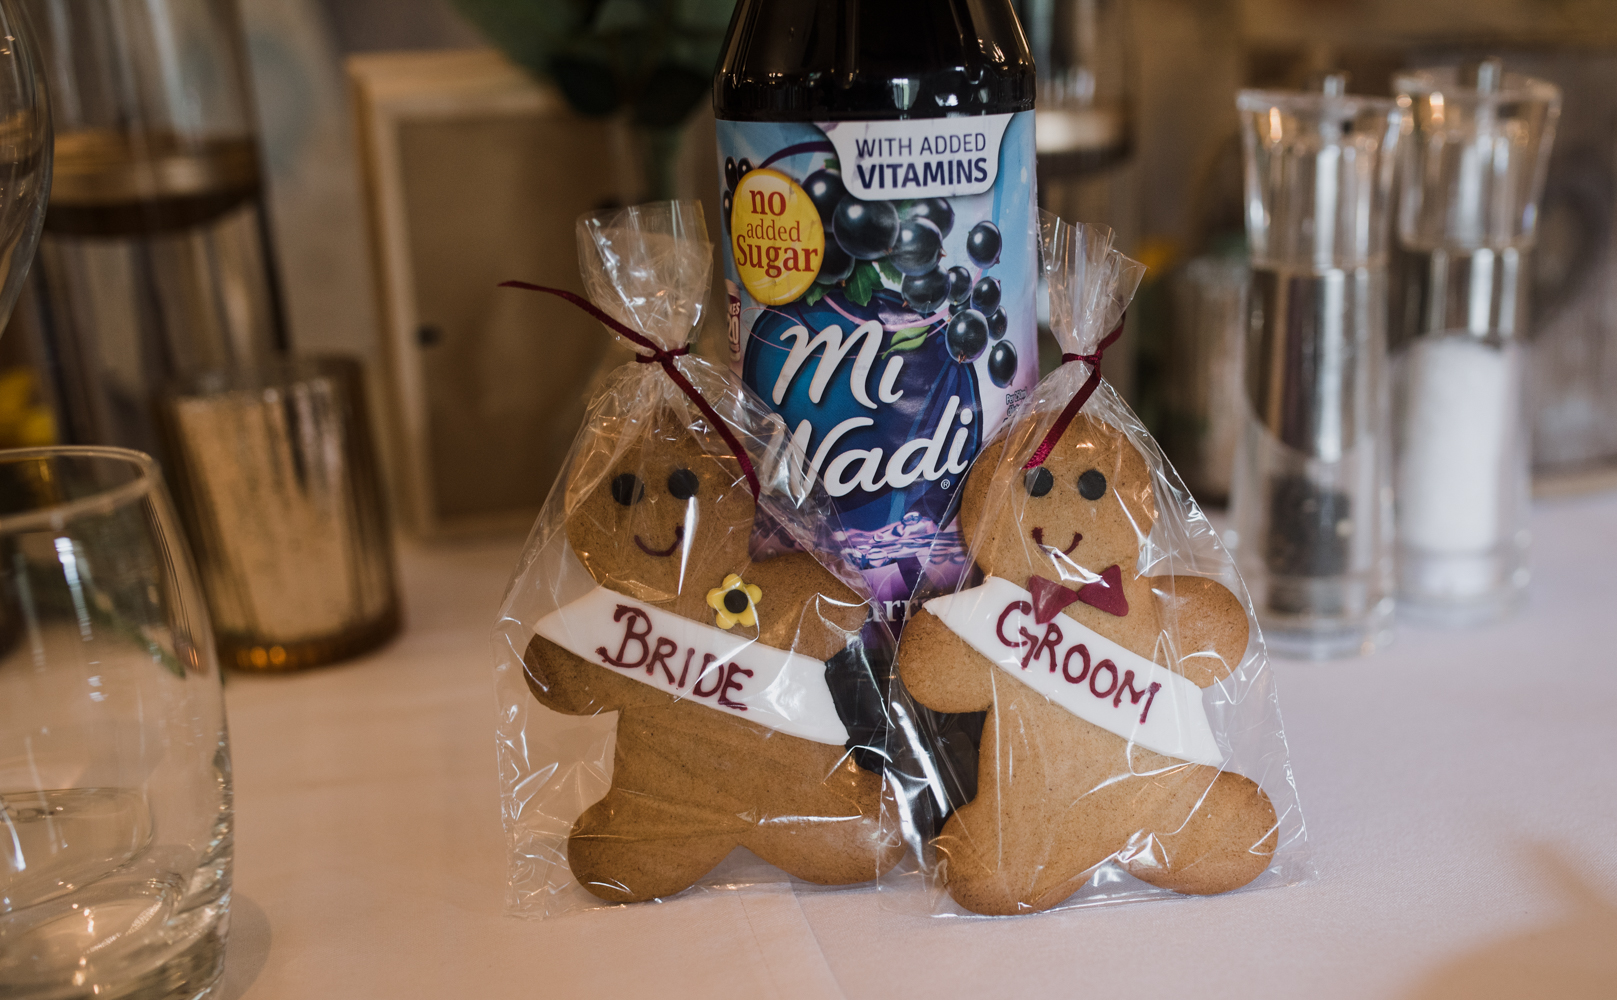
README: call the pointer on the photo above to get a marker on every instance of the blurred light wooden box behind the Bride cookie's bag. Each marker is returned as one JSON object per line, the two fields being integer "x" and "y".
{"x": 475, "y": 174}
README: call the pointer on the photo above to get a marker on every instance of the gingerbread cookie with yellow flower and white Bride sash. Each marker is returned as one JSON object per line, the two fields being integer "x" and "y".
{"x": 735, "y": 727}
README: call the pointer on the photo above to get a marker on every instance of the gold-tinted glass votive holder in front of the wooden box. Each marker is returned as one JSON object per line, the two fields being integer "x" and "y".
{"x": 279, "y": 483}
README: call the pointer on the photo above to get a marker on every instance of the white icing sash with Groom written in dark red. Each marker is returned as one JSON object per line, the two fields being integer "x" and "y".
{"x": 1083, "y": 671}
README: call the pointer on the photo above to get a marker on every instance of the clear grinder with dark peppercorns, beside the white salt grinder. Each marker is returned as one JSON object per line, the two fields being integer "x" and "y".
{"x": 1311, "y": 494}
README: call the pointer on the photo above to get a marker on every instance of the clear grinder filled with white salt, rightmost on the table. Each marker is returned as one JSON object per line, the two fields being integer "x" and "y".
{"x": 1472, "y": 179}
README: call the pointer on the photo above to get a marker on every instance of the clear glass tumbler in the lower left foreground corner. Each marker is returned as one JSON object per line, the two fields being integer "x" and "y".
{"x": 116, "y": 799}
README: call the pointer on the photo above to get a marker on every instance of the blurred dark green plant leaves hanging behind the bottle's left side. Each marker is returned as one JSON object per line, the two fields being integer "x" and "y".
{"x": 648, "y": 61}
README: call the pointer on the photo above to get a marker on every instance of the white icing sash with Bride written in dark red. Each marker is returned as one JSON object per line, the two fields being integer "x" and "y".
{"x": 693, "y": 661}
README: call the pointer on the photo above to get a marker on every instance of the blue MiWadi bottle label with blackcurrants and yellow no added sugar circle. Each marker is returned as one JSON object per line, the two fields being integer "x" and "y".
{"x": 882, "y": 287}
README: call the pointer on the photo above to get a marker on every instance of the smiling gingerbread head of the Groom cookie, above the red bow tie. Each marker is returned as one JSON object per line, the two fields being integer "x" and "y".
{"x": 1087, "y": 507}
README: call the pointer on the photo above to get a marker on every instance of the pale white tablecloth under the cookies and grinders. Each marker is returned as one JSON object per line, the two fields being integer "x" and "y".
{"x": 1459, "y": 792}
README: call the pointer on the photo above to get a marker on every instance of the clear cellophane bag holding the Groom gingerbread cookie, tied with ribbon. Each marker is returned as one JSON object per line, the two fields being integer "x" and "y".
{"x": 1133, "y": 744}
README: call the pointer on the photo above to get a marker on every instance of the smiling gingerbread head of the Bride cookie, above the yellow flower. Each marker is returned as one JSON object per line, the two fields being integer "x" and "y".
{"x": 665, "y": 517}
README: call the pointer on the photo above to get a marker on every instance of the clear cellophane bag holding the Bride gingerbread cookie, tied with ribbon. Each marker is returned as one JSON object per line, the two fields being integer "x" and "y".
{"x": 691, "y": 695}
